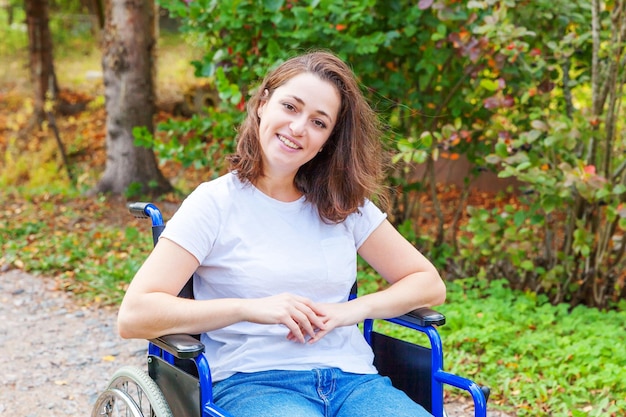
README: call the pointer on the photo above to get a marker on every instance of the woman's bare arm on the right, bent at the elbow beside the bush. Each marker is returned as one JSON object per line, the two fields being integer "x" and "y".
{"x": 414, "y": 282}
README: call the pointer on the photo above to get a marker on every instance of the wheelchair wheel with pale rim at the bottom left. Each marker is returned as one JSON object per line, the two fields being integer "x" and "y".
{"x": 131, "y": 392}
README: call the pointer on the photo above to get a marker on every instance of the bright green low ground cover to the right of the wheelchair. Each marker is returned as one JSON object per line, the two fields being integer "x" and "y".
{"x": 538, "y": 359}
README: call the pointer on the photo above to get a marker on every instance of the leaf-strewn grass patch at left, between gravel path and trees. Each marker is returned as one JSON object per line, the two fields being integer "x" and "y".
{"x": 71, "y": 239}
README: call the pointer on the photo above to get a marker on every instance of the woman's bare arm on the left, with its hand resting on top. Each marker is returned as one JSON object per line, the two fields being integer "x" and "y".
{"x": 151, "y": 307}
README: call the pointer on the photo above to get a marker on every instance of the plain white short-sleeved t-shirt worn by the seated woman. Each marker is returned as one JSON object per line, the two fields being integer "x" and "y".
{"x": 250, "y": 245}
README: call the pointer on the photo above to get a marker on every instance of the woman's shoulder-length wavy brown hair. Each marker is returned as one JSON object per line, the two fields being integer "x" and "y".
{"x": 349, "y": 168}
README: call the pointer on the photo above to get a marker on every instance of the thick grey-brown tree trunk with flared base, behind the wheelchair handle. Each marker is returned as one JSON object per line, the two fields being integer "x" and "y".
{"x": 128, "y": 66}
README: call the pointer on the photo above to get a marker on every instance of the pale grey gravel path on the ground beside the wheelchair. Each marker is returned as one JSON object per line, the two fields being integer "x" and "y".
{"x": 56, "y": 357}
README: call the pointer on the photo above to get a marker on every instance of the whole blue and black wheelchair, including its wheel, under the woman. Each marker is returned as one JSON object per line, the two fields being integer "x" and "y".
{"x": 178, "y": 382}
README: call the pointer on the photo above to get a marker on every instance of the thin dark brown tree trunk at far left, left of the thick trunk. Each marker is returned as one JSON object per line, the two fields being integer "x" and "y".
{"x": 42, "y": 73}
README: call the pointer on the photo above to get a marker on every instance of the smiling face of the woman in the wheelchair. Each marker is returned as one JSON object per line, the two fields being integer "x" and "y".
{"x": 296, "y": 122}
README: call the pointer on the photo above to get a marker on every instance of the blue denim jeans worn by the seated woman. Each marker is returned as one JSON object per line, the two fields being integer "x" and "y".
{"x": 327, "y": 392}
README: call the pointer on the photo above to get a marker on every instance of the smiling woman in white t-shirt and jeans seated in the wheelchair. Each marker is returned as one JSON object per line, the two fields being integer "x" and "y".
{"x": 272, "y": 246}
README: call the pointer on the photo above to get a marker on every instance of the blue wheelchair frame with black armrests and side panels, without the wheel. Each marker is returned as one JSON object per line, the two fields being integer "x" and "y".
{"x": 167, "y": 353}
